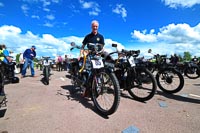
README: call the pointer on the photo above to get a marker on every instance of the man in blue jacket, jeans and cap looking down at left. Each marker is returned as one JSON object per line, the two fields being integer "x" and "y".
{"x": 29, "y": 55}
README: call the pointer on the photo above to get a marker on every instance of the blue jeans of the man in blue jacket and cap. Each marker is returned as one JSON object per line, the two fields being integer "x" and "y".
{"x": 28, "y": 61}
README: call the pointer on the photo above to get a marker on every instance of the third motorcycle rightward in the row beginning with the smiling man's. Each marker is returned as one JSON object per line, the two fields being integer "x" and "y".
{"x": 168, "y": 78}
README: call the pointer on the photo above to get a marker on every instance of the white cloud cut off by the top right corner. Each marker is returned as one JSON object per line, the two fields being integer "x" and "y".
{"x": 181, "y": 3}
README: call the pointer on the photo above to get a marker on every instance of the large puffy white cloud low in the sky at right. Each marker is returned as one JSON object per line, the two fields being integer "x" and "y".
{"x": 172, "y": 38}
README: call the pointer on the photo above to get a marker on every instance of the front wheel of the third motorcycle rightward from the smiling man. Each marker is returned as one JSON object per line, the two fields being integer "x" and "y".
{"x": 170, "y": 80}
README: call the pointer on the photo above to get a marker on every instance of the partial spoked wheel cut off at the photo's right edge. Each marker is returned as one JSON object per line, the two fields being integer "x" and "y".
{"x": 192, "y": 72}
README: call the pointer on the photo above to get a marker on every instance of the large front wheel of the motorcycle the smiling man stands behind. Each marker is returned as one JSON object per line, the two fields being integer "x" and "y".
{"x": 105, "y": 93}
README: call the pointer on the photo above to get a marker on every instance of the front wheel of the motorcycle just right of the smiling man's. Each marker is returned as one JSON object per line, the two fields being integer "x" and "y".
{"x": 143, "y": 86}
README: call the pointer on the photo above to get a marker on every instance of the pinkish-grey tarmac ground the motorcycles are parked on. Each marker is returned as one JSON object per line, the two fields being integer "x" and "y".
{"x": 34, "y": 107}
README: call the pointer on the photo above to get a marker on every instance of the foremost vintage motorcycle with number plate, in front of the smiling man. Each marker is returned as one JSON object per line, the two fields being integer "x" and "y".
{"x": 100, "y": 83}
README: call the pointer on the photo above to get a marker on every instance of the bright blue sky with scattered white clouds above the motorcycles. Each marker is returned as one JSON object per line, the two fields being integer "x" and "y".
{"x": 165, "y": 26}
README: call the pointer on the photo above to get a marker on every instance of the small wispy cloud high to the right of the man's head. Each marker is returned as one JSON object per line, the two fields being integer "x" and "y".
{"x": 119, "y": 9}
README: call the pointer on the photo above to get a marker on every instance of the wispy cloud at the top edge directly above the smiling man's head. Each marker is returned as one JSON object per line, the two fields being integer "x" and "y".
{"x": 93, "y": 7}
